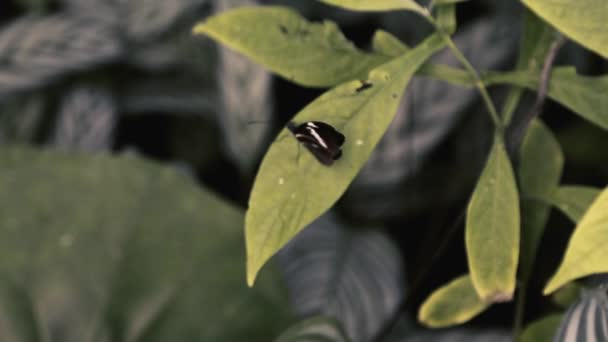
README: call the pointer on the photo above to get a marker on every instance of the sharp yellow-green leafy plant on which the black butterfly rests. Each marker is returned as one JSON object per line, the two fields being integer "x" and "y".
{"x": 507, "y": 211}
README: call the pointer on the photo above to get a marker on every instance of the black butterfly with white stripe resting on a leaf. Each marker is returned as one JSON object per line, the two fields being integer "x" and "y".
{"x": 321, "y": 139}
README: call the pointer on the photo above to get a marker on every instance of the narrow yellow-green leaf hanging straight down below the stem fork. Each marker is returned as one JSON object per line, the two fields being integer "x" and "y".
{"x": 492, "y": 228}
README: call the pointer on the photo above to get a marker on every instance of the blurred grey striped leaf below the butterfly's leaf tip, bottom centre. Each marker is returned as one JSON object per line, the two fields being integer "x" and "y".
{"x": 354, "y": 275}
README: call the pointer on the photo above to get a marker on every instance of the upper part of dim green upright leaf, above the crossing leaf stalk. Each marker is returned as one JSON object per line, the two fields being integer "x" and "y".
{"x": 541, "y": 162}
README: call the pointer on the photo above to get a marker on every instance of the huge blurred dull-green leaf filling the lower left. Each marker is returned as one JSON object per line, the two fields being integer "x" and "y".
{"x": 115, "y": 249}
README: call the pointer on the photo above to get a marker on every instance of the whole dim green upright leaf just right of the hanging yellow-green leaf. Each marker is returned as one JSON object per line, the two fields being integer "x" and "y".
{"x": 540, "y": 168}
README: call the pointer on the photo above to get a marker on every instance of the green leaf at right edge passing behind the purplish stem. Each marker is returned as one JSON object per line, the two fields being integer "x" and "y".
{"x": 584, "y": 95}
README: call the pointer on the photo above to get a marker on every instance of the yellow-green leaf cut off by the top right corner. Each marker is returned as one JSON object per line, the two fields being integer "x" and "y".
{"x": 583, "y": 20}
